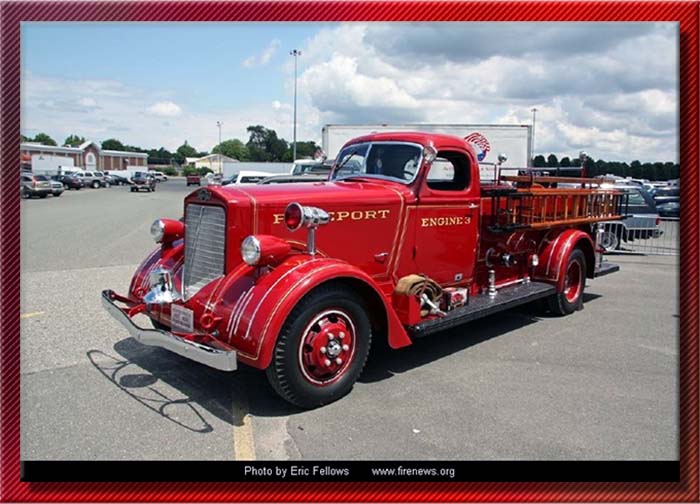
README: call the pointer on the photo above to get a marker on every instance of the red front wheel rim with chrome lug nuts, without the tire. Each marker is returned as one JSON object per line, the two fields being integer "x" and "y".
{"x": 327, "y": 347}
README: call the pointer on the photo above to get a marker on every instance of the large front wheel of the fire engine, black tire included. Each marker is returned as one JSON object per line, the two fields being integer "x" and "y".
{"x": 291, "y": 372}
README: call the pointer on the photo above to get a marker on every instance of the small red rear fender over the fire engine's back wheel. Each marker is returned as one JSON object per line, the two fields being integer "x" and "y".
{"x": 554, "y": 255}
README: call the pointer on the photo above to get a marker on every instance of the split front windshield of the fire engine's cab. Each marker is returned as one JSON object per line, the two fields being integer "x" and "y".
{"x": 393, "y": 160}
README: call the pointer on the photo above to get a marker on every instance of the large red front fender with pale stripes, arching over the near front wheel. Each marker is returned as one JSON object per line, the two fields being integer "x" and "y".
{"x": 262, "y": 309}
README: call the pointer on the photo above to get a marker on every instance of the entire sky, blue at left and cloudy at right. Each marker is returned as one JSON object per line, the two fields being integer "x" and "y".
{"x": 610, "y": 89}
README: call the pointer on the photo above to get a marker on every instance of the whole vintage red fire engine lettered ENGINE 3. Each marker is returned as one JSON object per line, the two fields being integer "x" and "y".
{"x": 403, "y": 240}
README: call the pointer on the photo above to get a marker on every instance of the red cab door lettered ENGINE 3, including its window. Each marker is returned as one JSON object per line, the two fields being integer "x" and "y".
{"x": 447, "y": 220}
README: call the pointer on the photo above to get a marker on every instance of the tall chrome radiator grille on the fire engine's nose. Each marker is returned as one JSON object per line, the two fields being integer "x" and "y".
{"x": 205, "y": 239}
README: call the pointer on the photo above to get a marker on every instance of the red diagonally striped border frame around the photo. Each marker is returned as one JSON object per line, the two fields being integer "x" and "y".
{"x": 12, "y": 13}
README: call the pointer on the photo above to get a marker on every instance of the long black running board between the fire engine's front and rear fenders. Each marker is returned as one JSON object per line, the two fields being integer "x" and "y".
{"x": 483, "y": 305}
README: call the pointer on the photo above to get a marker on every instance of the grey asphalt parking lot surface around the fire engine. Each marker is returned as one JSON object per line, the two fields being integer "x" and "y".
{"x": 599, "y": 384}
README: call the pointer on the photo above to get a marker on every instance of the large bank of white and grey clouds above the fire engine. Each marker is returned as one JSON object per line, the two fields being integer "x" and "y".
{"x": 609, "y": 88}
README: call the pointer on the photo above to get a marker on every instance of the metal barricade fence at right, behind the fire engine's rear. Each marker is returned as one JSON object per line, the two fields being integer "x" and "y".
{"x": 631, "y": 237}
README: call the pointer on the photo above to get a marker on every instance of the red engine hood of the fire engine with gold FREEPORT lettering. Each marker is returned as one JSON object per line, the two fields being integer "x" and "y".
{"x": 364, "y": 227}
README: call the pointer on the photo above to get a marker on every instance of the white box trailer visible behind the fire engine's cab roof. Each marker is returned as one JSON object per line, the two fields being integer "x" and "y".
{"x": 489, "y": 140}
